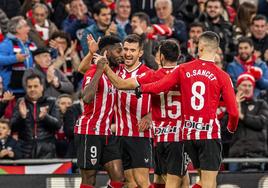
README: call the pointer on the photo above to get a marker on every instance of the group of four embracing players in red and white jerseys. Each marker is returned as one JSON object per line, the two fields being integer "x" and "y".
{"x": 136, "y": 118}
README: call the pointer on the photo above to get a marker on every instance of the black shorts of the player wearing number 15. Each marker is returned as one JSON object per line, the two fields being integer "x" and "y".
{"x": 170, "y": 158}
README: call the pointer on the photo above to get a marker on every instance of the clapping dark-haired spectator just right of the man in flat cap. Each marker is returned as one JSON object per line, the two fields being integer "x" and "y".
{"x": 64, "y": 55}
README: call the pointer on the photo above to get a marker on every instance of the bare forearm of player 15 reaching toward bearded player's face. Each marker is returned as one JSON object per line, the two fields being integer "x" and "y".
{"x": 118, "y": 82}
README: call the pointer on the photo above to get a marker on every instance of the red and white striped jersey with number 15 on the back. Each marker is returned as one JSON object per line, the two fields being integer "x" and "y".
{"x": 166, "y": 108}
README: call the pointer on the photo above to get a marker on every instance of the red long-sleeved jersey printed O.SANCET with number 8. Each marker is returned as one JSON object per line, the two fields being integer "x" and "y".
{"x": 202, "y": 84}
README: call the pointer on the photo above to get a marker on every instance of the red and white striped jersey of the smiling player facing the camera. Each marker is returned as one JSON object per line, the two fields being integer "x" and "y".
{"x": 129, "y": 110}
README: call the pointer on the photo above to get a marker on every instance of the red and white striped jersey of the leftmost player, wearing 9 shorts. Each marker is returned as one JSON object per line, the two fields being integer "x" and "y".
{"x": 97, "y": 116}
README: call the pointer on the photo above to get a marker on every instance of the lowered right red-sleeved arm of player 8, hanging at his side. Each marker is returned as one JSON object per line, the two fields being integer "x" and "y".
{"x": 228, "y": 95}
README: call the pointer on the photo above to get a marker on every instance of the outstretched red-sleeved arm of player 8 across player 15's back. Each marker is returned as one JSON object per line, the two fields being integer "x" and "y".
{"x": 162, "y": 85}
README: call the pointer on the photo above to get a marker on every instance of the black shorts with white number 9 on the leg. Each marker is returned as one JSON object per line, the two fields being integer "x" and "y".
{"x": 94, "y": 151}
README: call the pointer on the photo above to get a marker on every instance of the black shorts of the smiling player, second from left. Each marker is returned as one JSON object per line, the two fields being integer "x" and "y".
{"x": 136, "y": 152}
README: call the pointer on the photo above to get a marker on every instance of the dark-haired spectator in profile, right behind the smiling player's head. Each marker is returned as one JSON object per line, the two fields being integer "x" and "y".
{"x": 140, "y": 24}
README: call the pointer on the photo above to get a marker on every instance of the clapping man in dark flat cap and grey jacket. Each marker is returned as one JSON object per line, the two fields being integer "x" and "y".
{"x": 56, "y": 82}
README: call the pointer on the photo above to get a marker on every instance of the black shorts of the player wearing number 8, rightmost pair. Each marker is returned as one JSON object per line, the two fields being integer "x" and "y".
{"x": 205, "y": 154}
